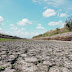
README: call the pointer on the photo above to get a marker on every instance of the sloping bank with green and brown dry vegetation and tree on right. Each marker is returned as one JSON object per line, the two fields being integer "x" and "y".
{"x": 58, "y": 34}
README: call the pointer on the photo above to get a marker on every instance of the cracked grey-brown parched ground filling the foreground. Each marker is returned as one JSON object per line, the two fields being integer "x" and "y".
{"x": 36, "y": 56}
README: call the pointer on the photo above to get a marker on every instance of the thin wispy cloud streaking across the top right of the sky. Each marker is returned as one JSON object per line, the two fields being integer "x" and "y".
{"x": 64, "y": 4}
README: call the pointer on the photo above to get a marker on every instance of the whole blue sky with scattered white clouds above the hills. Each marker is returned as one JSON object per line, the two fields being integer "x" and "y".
{"x": 28, "y": 18}
